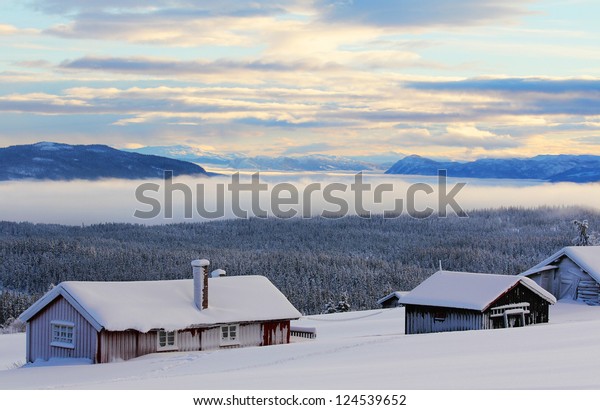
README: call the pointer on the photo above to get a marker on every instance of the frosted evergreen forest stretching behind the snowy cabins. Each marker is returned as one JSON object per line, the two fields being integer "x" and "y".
{"x": 312, "y": 261}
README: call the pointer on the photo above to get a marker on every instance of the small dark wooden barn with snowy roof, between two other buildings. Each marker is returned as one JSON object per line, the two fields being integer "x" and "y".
{"x": 450, "y": 301}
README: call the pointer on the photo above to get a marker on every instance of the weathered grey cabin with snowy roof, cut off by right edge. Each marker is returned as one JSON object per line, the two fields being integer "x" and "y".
{"x": 571, "y": 273}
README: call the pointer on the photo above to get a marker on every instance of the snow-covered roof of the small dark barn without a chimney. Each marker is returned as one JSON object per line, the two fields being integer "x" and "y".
{"x": 464, "y": 290}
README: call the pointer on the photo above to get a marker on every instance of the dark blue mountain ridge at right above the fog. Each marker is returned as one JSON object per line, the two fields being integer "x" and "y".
{"x": 552, "y": 168}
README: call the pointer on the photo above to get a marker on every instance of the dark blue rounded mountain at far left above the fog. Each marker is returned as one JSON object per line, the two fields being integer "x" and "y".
{"x": 54, "y": 161}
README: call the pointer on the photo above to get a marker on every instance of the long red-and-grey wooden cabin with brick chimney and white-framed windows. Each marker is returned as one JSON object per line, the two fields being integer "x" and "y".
{"x": 113, "y": 321}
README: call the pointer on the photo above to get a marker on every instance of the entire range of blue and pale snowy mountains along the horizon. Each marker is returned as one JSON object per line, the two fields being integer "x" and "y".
{"x": 54, "y": 161}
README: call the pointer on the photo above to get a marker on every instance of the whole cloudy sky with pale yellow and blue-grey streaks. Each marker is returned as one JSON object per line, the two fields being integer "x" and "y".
{"x": 459, "y": 79}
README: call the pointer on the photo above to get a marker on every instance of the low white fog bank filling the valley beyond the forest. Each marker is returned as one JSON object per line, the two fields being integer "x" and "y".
{"x": 288, "y": 194}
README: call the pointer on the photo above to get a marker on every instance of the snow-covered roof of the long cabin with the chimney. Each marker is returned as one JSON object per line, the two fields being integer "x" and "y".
{"x": 169, "y": 304}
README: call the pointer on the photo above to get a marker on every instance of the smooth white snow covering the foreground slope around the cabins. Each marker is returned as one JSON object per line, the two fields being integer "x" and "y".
{"x": 357, "y": 350}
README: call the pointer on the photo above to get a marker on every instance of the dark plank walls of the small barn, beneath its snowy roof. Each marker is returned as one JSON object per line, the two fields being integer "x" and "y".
{"x": 431, "y": 319}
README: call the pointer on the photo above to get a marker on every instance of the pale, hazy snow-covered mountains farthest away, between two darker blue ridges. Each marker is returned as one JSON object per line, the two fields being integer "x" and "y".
{"x": 282, "y": 163}
